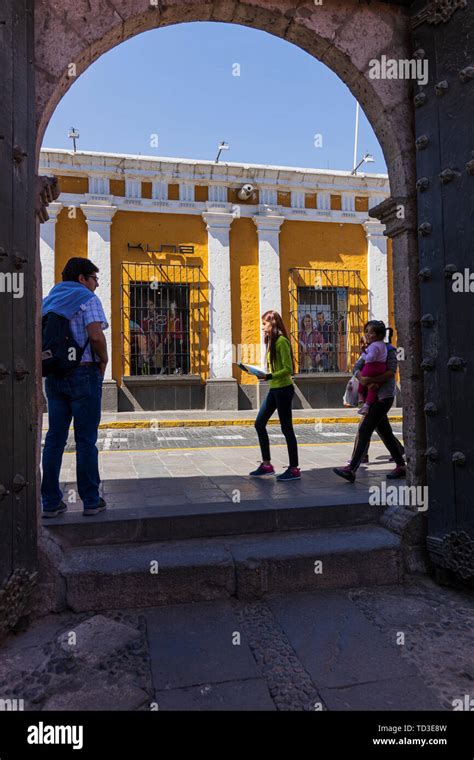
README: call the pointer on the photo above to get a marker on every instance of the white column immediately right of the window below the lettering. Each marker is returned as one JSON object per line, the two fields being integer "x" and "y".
{"x": 220, "y": 314}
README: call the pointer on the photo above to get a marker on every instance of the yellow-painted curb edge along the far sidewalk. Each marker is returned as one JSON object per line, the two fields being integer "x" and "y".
{"x": 154, "y": 424}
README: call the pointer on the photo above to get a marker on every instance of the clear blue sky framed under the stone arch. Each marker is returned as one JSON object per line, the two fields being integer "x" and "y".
{"x": 178, "y": 83}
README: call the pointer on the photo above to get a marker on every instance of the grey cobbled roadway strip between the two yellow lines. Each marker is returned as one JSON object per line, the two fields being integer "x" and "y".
{"x": 137, "y": 439}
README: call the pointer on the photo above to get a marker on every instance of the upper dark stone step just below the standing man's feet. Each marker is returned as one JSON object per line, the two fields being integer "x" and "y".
{"x": 179, "y": 522}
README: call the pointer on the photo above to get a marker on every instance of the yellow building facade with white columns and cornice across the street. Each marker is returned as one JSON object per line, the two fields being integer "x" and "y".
{"x": 191, "y": 253}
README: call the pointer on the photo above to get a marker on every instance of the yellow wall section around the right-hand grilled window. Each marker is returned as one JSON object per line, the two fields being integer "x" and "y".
{"x": 322, "y": 245}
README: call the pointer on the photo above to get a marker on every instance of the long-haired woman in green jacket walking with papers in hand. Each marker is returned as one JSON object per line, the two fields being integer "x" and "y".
{"x": 279, "y": 362}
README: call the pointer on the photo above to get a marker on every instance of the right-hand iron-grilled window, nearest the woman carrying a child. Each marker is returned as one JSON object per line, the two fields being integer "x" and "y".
{"x": 328, "y": 309}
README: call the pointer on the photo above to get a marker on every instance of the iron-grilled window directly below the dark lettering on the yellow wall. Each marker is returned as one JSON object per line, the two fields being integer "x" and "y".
{"x": 161, "y": 319}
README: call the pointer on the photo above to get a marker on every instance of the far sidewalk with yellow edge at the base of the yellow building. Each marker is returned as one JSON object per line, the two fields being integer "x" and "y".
{"x": 203, "y": 418}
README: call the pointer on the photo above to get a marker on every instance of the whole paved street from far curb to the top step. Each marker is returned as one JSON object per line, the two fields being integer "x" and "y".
{"x": 182, "y": 466}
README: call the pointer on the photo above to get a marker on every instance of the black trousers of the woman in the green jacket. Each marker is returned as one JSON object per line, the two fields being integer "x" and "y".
{"x": 278, "y": 399}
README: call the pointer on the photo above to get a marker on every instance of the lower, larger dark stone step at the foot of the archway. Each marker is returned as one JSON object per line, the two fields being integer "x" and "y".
{"x": 150, "y": 574}
